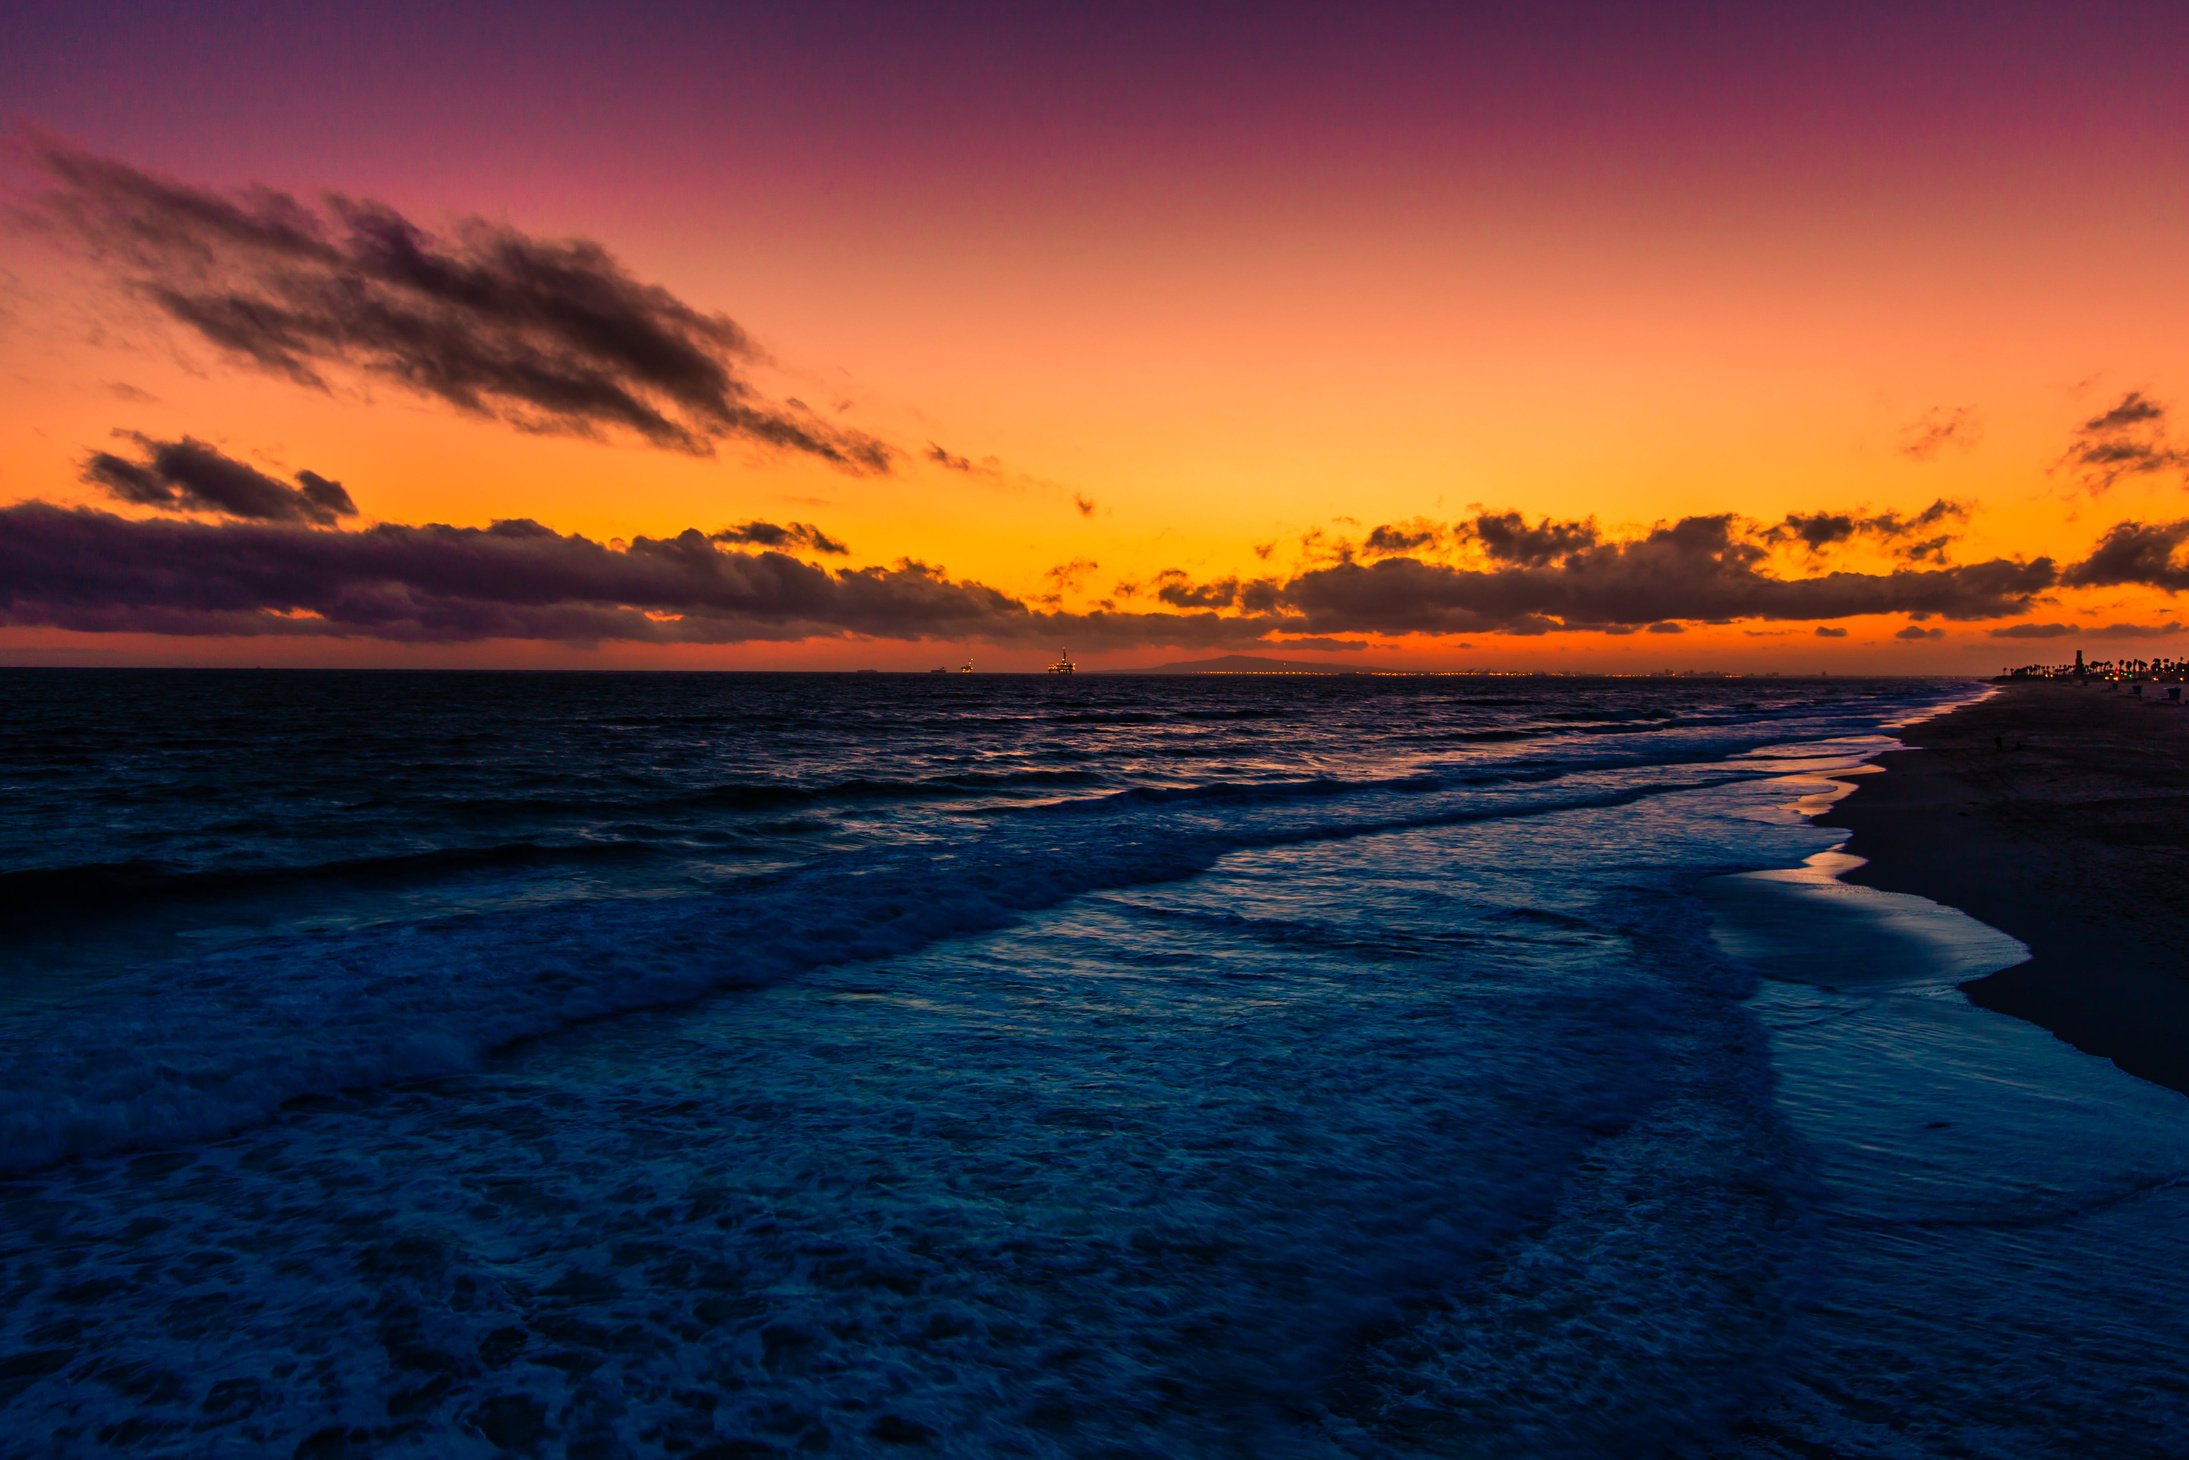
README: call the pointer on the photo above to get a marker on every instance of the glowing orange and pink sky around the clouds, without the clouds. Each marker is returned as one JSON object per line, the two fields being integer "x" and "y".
{"x": 1227, "y": 336}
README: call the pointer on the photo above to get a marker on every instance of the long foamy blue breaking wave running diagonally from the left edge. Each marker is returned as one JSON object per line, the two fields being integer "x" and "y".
{"x": 229, "y": 1039}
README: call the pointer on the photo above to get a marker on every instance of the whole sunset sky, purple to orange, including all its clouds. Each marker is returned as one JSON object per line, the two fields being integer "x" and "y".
{"x": 1573, "y": 336}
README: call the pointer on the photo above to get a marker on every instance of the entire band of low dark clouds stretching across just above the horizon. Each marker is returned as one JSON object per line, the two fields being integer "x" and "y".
{"x": 518, "y": 579}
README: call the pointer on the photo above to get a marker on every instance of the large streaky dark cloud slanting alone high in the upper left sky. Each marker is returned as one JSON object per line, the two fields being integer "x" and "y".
{"x": 544, "y": 334}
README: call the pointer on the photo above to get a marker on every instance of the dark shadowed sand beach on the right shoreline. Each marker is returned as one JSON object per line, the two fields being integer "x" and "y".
{"x": 2074, "y": 839}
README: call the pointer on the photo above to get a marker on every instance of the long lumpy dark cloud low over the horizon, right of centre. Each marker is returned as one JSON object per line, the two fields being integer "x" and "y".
{"x": 1698, "y": 568}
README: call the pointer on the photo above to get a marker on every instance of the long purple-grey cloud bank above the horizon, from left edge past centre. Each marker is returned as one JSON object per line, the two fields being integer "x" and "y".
{"x": 513, "y": 581}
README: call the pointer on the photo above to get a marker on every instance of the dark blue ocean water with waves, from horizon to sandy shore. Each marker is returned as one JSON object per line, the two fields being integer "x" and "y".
{"x": 443, "y": 1065}
